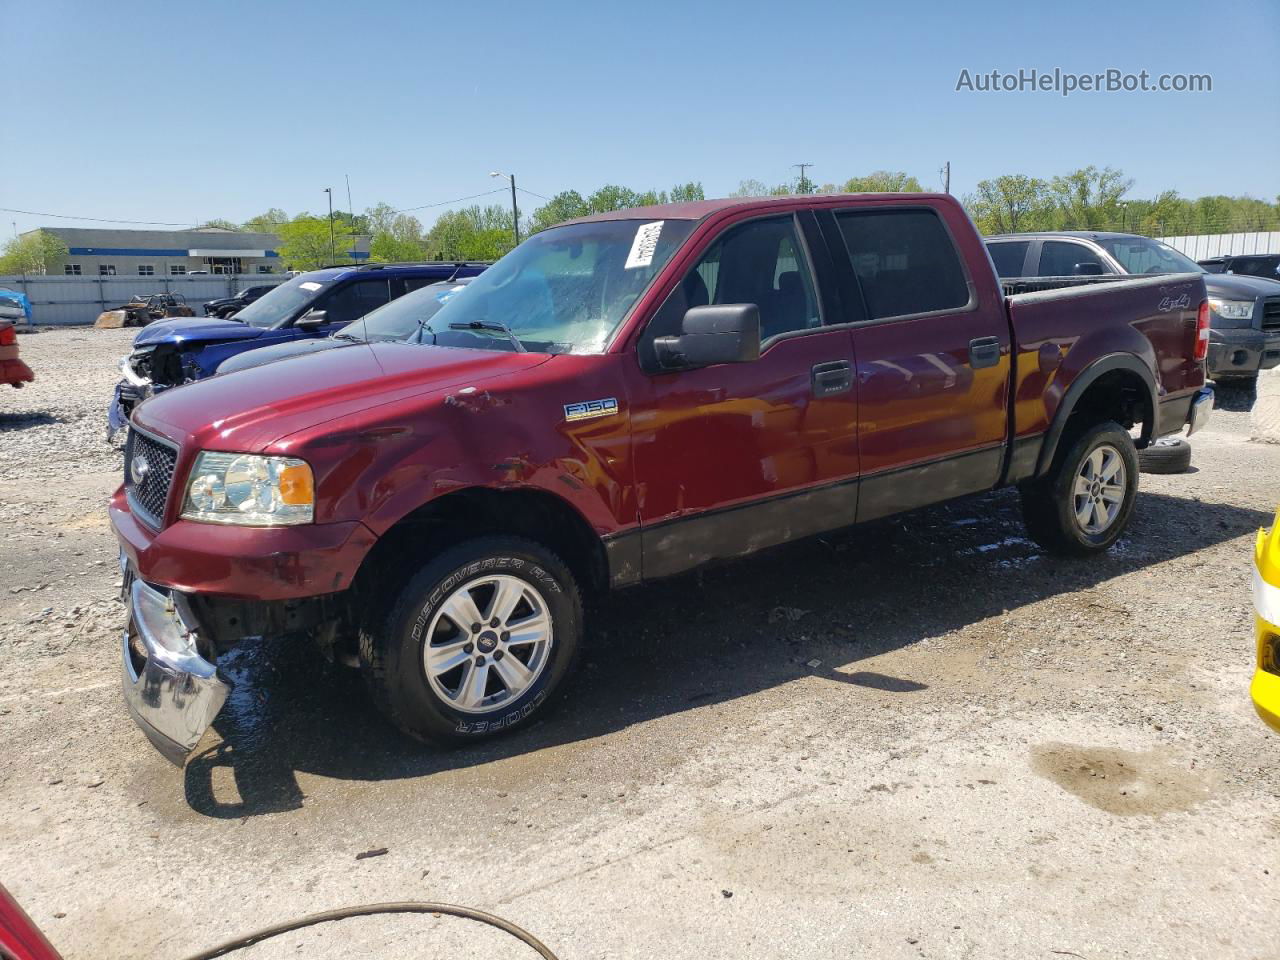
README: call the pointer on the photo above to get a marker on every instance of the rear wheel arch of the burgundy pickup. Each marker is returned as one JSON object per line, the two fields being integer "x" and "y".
{"x": 1118, "y": 383}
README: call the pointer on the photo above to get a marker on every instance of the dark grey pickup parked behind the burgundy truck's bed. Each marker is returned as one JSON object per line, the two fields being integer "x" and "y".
{"x": 1245, "y": 312}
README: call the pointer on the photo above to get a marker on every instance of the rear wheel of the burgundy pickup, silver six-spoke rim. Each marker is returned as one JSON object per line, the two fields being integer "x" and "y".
{"x": 1077, "y": 484}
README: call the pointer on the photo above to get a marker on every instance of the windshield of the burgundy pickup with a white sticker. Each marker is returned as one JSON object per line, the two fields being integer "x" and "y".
{"x": 563, "y": 291}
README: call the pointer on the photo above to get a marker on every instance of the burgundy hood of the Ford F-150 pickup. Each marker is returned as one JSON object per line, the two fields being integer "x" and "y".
{"x": 253, "y": 409}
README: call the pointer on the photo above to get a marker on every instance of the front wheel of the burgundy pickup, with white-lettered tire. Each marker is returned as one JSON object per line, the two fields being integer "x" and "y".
{"x": 446, "y": 701}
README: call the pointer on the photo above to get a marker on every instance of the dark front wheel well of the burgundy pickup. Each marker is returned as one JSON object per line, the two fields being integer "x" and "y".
{"x": 474, "y": 513}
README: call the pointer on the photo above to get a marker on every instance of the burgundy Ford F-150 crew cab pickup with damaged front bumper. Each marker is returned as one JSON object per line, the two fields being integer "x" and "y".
{"x": 623, "y": 399}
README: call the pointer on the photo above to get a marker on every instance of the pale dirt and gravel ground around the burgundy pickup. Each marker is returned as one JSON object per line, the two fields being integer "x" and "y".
{"x": 918, "y": 740}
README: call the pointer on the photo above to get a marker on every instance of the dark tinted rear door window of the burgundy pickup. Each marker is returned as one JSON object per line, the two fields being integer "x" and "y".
{"x": 904, "y": 260}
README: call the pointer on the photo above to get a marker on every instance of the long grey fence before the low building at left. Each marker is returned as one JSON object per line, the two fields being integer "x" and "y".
{"x": 79, "y": 300}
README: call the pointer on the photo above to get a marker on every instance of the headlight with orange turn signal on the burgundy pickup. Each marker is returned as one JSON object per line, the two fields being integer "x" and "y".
{"x": 250, "y": 491}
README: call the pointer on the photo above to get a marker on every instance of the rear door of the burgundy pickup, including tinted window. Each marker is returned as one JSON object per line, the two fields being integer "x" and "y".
{"x": 932, "y": 363}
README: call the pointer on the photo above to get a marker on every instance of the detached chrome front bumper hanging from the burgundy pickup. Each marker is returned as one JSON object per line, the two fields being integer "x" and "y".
{"x": 171, "y": 691}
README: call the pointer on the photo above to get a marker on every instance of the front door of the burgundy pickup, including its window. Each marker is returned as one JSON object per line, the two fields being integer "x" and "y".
{"x": 735, "y": 458}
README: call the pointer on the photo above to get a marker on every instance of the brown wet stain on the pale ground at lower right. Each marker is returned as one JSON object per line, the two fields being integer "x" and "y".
{"x": 1122, "y": 783}
